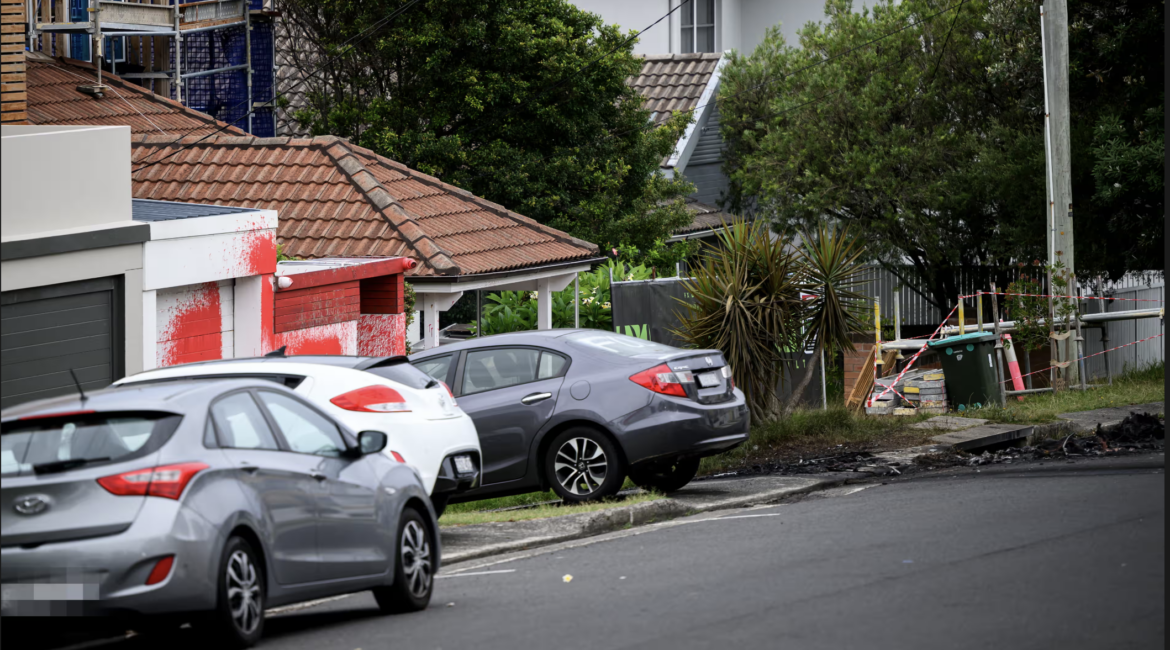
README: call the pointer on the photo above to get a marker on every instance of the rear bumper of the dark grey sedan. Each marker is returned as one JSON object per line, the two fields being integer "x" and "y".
{"x": 678, "y": 428}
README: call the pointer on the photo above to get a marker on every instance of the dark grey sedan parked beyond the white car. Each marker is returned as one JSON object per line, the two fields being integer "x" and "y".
{"x": 577, "y": 411}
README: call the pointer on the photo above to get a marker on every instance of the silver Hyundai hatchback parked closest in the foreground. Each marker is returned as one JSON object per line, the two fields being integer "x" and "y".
{"x": 204, "y": 502}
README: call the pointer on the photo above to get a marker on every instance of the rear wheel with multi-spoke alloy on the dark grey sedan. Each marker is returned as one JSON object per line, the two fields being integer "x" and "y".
{"x": 582, "y": 465}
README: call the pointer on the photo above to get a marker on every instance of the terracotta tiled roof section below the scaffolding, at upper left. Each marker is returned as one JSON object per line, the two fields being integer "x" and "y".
{"x": 53, "y": 99}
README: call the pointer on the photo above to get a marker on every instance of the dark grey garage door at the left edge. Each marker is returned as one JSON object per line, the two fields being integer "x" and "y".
{"x": 47, "y": 331}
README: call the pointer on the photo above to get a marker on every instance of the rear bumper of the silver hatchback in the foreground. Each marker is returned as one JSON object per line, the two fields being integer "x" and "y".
{"x": 107, "y": 577}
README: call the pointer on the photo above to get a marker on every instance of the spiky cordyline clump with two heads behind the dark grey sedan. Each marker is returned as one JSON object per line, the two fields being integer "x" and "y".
{"x": 746, "y": 302}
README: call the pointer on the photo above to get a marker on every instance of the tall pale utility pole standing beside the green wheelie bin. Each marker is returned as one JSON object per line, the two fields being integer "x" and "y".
{"x": 1055, "y": 42}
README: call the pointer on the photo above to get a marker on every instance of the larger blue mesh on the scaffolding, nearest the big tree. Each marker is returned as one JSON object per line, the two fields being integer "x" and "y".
{"x": 221, "y": 95}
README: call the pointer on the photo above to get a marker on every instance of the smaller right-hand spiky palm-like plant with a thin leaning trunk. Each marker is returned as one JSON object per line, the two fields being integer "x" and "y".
{"x": 831, "y": 267}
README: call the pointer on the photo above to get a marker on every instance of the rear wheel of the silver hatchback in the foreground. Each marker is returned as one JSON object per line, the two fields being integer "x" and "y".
{"x": 239, "y": 617}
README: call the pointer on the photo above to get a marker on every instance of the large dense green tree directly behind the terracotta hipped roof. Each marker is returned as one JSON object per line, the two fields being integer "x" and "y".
{"x": 525, "y": 103}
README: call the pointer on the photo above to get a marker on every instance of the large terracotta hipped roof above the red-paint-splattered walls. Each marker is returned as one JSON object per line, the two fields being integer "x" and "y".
{"x": 340, "y": 200}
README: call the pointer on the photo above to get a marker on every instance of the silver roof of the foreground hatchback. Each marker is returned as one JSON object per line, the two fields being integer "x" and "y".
{"x": 170, "y": 397}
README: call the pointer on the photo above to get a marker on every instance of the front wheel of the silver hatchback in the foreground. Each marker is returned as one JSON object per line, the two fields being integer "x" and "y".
{"x": 414, "y": 568}
